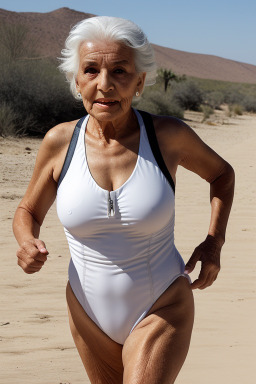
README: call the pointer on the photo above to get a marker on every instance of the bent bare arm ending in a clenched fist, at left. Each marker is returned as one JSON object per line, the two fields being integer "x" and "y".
{"x": 31, "y": 211}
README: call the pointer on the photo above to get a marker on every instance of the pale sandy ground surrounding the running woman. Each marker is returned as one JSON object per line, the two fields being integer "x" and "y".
{"x": 35, "y": 342}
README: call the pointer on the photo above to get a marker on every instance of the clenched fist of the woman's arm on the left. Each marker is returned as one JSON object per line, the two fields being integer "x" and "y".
{"x": 32, "y": 255}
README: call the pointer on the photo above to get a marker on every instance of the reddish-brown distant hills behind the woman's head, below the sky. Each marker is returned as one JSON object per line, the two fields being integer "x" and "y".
{"x": 50, "y": 30}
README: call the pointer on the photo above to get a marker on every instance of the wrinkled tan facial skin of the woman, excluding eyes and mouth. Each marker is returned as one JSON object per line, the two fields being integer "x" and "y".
{"x": 107, "y": 83}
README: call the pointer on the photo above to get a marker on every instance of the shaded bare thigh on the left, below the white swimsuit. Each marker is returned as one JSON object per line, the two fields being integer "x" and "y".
{"x": 101, "y": 356}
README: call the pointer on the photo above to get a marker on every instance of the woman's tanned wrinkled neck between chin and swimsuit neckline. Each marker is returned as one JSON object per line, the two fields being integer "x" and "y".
{"x": 107, "y": 131}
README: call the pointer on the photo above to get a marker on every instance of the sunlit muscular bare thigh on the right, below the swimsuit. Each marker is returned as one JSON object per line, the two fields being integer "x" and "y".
{"x": 156, "y": 349}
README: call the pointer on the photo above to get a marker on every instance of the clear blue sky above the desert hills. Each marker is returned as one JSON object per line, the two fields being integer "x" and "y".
{"x": 225, "y": 28}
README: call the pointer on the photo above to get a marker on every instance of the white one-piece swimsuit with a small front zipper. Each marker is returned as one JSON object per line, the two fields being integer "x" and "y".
{"x": 121, "y": 242}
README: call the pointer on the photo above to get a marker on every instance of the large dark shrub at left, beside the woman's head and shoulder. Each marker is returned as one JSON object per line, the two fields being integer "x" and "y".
{"x": 38, "y": 94}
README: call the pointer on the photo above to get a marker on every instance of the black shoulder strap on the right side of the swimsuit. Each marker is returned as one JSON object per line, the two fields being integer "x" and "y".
{"x": 148, "y": 122}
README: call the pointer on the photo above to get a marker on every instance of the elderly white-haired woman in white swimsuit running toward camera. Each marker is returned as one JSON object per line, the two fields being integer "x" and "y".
{"x": 113, "y": 172}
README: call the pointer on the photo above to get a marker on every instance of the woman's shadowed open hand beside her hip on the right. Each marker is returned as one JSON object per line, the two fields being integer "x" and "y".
{"x": 208, "y": 252}
